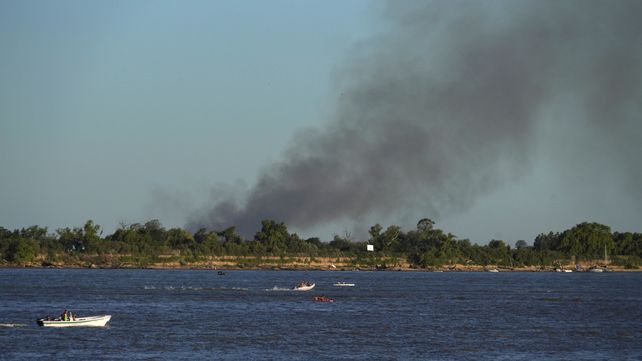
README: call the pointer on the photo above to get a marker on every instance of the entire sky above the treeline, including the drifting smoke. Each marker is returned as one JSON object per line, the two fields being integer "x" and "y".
{"x": 496, "y": 119}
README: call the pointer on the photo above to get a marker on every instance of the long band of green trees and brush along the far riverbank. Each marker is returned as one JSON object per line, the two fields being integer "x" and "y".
{"x": 423, "y": 247}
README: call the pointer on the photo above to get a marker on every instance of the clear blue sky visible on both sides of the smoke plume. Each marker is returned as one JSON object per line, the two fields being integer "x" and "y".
{"x": 125, "y": 111}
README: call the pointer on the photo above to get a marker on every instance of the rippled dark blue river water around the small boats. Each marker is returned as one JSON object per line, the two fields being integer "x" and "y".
{"x": 250, "y": 315}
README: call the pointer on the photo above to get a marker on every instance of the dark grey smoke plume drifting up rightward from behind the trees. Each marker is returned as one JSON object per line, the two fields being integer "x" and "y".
{"x": 443, "y": 105}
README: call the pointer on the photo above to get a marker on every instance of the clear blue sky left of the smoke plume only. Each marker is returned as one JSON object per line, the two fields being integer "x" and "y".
{"x": 103, "y": 102}
